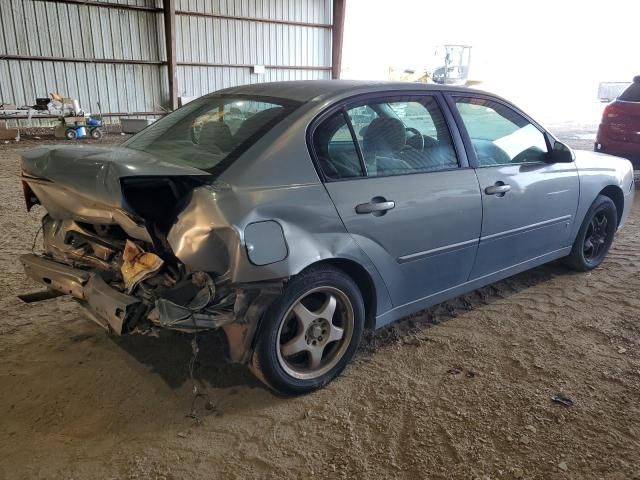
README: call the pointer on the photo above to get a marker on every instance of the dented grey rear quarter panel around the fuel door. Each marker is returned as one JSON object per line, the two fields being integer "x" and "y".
{"x": 209, "y": 234}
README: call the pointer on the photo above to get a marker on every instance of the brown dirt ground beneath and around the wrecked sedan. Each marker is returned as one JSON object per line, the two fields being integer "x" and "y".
{"x": 463, "y": 390}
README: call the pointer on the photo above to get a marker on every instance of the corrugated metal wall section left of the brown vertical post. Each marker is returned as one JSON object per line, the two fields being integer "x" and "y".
{"x": 36, "y": 28}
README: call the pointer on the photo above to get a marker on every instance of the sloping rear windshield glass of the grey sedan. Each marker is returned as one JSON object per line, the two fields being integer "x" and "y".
{"x": 212, "y": 131}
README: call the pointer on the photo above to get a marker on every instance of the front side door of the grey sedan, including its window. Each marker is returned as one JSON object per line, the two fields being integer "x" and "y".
{"x": 528, "y": 204}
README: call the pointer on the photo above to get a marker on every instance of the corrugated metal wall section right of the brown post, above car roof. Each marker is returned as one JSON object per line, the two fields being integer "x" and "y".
{"x": 214, "y": 52}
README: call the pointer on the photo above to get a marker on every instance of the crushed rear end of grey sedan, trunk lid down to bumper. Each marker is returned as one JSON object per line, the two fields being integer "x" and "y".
{"x": 108, "y": 216}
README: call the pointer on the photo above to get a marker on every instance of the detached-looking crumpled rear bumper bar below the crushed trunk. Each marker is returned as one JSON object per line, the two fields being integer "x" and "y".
{"x": 108, "y": 307}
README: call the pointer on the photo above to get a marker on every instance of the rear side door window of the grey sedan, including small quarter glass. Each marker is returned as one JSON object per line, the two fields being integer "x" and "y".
{"x": 392, "y": 137}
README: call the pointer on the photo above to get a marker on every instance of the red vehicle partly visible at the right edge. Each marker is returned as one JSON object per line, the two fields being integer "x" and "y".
{"x": 619, "y": 131}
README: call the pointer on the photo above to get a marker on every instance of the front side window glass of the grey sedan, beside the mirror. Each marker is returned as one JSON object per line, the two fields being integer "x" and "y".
{"x": 500, "y": 135}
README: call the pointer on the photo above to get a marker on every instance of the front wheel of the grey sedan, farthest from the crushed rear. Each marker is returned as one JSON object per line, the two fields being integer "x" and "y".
{"x": 594, "y": 237}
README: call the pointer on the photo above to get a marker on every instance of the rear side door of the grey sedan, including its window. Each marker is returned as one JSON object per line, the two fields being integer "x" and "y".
{"x": 412, "y": 205}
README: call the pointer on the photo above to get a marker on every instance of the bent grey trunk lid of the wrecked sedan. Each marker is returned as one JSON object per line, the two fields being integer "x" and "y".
{"x": 89, "y": 184}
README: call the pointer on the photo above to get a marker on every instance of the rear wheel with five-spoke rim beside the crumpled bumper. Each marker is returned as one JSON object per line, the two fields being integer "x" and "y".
{"x": 297, "y": 349}
